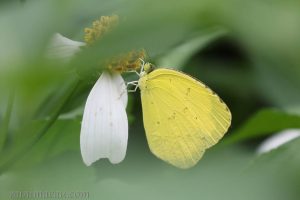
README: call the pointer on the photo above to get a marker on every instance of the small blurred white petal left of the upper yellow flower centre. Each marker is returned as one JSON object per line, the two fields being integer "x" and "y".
{"x": 63, "y": 48}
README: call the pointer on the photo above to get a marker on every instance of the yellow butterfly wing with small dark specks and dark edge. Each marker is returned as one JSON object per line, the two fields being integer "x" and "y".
{"x": 182, "y": 116}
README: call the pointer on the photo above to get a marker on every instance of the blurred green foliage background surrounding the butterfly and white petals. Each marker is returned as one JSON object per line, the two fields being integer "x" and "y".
{"x": 246, "y": 51}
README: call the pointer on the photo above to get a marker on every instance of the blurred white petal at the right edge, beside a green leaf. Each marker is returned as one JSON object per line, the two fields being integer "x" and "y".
{"x": 277, "y": 140}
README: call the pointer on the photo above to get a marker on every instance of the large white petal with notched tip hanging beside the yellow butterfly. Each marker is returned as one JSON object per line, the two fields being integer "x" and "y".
{"x": 104, "y": 129}
